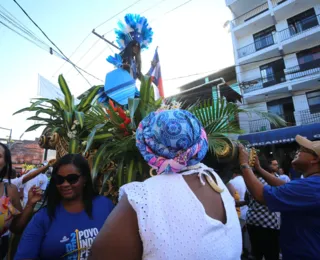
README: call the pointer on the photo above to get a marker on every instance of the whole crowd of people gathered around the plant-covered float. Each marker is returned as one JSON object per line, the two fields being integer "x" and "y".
{"x": 184, "y": 212}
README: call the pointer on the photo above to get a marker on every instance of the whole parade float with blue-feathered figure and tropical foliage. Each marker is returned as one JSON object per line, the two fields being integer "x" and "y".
{"x": 102, "y": 125}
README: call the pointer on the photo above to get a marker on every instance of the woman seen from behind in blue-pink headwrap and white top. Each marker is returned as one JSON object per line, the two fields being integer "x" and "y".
{"x": 185, "y": 212}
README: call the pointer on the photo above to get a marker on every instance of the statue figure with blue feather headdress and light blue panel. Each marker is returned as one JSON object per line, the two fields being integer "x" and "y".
{"x": 133, "y": 35}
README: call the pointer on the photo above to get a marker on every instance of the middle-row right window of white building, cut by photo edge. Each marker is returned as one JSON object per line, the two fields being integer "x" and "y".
{"x": 309, "y": 59}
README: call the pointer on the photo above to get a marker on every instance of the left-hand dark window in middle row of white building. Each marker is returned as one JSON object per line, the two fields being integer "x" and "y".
{"x": 272, "y": 73}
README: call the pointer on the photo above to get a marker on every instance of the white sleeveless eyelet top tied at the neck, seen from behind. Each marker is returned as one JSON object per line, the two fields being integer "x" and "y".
{"x": 173, "y": 224}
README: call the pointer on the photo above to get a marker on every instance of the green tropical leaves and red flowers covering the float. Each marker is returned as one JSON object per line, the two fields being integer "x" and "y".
{"x": 105, "y": 133}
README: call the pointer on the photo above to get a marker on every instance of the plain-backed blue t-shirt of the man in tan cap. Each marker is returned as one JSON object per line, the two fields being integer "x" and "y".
{"x": 299, "y": 204}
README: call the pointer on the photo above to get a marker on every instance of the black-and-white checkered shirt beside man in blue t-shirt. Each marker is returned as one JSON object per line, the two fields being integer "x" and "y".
{"x": 259, "y": 215}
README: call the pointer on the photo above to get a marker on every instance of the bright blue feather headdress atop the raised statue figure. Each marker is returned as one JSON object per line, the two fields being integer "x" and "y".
{"x": 136, "y": 27}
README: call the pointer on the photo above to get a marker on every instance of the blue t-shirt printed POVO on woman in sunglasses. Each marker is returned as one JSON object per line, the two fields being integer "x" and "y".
{"x": 69, "y": 236}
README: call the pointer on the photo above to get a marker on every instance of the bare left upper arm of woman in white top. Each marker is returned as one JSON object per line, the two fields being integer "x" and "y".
{"x": 119, "y": 237}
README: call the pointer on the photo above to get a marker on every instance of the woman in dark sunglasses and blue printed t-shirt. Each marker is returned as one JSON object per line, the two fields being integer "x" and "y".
{"x": 72, "y": 218}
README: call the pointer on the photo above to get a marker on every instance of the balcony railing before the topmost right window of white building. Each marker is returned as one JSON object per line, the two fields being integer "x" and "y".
{"x": 300, "y": 27}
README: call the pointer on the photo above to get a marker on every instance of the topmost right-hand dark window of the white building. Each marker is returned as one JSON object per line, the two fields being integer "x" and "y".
{"x": 302, "y": 21}
